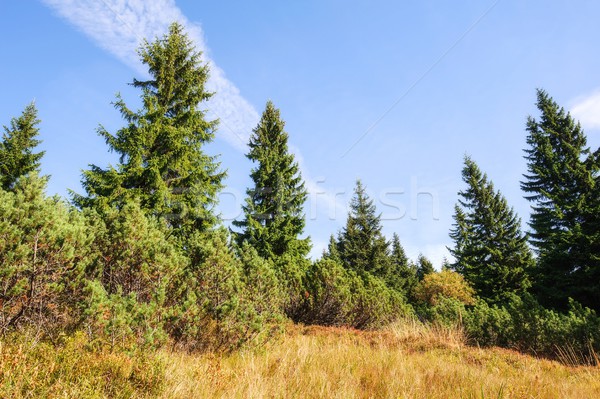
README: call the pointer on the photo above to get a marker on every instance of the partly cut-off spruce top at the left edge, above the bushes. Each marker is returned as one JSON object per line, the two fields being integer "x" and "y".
{"x": 17, "y": 158}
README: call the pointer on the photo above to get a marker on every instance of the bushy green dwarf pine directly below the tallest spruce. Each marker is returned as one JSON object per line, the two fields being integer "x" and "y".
{"x": 133, "y": 278}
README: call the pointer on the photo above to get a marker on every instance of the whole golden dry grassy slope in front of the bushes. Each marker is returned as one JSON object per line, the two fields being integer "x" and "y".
{"x": 406, "y": 361}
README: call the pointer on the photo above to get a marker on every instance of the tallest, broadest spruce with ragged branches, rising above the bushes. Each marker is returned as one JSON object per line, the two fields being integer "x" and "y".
{"x": 161, "y": 160}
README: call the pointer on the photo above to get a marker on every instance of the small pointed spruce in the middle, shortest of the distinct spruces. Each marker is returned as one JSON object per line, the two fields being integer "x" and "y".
{"x": 362, "y": 246}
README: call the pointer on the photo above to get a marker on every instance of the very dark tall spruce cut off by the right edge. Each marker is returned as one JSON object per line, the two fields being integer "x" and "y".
{"x": 562, "y": 185}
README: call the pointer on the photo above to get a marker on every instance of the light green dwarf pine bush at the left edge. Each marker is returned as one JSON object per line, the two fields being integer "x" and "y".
{"x": 43, "y": 253}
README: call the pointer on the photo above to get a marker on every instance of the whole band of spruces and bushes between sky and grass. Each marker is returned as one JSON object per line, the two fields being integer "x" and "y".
{"x": 141, "y": 258}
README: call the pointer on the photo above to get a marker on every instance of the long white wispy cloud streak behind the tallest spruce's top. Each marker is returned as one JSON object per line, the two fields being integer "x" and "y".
{"x": 120, "y": 26}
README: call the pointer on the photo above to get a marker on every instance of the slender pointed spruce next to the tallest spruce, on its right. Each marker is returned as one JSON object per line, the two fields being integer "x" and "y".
{"x": 273, "y": 214}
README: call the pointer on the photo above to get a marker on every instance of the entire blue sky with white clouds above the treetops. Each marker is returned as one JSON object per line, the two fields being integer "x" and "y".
{"x": 393, "y": 93}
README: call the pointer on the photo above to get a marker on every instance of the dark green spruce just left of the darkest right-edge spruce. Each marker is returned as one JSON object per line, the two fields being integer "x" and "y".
{"x": 490, "y": 250}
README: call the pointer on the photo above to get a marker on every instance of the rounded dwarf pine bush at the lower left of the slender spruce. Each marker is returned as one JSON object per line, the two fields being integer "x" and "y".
{"x": 220, "y": 307}
